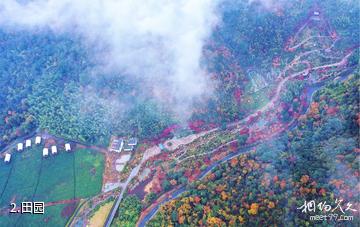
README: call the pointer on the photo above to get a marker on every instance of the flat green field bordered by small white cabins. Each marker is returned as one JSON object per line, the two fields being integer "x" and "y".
{"x": 64, "y": 176}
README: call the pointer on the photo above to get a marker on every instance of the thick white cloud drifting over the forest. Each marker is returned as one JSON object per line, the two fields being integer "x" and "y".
{"x": 157, "y": 41}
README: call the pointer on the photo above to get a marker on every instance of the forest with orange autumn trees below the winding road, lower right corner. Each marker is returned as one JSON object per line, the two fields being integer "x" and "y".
{"x": 318, "y": 160}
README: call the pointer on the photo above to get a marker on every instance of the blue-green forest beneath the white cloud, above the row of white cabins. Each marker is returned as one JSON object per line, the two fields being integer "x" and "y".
{"x": 47, "y": 83}
